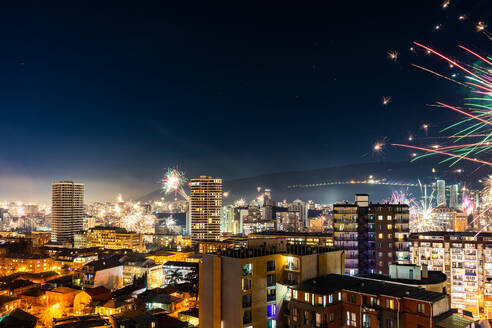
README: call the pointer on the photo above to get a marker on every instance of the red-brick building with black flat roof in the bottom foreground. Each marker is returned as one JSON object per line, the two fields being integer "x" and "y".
{"x": 335, "y": 301}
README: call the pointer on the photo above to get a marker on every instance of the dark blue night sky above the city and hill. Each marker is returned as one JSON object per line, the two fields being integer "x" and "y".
{"x": 111, "y": 95}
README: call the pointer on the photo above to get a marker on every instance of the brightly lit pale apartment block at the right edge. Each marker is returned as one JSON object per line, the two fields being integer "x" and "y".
{"x": 466, "y": 259}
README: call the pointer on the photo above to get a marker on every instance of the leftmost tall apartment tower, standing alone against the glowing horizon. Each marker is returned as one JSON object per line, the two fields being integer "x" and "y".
{"x": 67, "y": 210}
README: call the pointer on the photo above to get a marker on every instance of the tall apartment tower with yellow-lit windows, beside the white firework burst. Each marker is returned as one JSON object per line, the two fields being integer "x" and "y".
{"x": 205, "y": 206}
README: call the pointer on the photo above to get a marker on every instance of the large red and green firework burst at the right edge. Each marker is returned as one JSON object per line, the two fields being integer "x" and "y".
{"x": 476, "y": 124}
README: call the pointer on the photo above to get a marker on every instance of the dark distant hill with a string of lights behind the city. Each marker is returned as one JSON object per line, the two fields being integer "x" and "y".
{"x": 391, "y": 171}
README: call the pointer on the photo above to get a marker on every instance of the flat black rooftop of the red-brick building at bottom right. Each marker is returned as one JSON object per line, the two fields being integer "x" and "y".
{"x": 331, "y": 283}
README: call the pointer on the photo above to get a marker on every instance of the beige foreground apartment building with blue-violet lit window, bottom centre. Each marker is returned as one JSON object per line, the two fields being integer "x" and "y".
{"x": 247, "y": 287}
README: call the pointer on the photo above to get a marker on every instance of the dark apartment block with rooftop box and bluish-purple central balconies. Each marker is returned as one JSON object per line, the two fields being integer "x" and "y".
{"x": 372, "y": 235}
